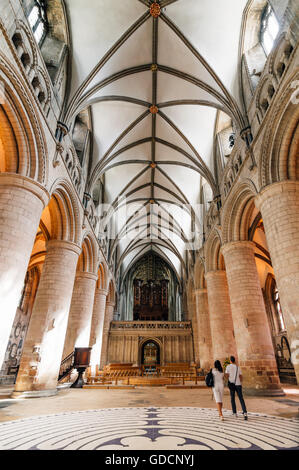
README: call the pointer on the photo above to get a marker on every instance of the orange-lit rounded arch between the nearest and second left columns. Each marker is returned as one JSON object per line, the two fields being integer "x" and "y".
{"x": 65, "y": 213}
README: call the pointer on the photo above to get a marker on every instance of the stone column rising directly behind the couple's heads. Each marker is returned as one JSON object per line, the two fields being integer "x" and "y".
{"x": 221, "y": 323}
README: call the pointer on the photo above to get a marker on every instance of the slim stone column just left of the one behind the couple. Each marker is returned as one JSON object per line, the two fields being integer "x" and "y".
{"x": 204, "y": 329}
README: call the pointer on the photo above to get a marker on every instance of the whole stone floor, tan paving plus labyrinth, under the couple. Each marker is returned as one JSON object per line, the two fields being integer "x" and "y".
{"x": 146, "y": 418}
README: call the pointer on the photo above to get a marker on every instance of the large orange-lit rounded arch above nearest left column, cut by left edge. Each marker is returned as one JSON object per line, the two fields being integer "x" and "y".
{"x": 23, "y": 144}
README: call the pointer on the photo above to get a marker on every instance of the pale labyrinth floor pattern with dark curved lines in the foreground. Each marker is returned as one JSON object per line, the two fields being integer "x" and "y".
{"x": 149, "y": 429}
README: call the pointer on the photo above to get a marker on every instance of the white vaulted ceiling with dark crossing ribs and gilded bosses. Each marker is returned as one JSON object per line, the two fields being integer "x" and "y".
{"x": 154, "y": 76}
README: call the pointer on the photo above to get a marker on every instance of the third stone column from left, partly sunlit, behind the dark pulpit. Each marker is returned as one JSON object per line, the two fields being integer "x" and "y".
{"x": 79, "y": 322}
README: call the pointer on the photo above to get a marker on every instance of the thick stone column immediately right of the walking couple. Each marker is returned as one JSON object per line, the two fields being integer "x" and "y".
{"x": 252, "y": 333}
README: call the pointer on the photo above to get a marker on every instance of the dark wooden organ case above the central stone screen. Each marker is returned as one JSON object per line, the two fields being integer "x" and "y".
{"x": 150, "y": 300}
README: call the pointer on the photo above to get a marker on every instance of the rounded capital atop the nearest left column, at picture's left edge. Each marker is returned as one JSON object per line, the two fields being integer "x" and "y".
{"x": 18, "y": 181}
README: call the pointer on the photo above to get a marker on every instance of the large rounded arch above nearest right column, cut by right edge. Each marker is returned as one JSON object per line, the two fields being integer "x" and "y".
{"x": 279, "y": 154}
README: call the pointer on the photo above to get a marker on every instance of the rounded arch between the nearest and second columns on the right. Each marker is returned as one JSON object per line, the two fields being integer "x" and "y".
{"x": 237, "y": 213}
